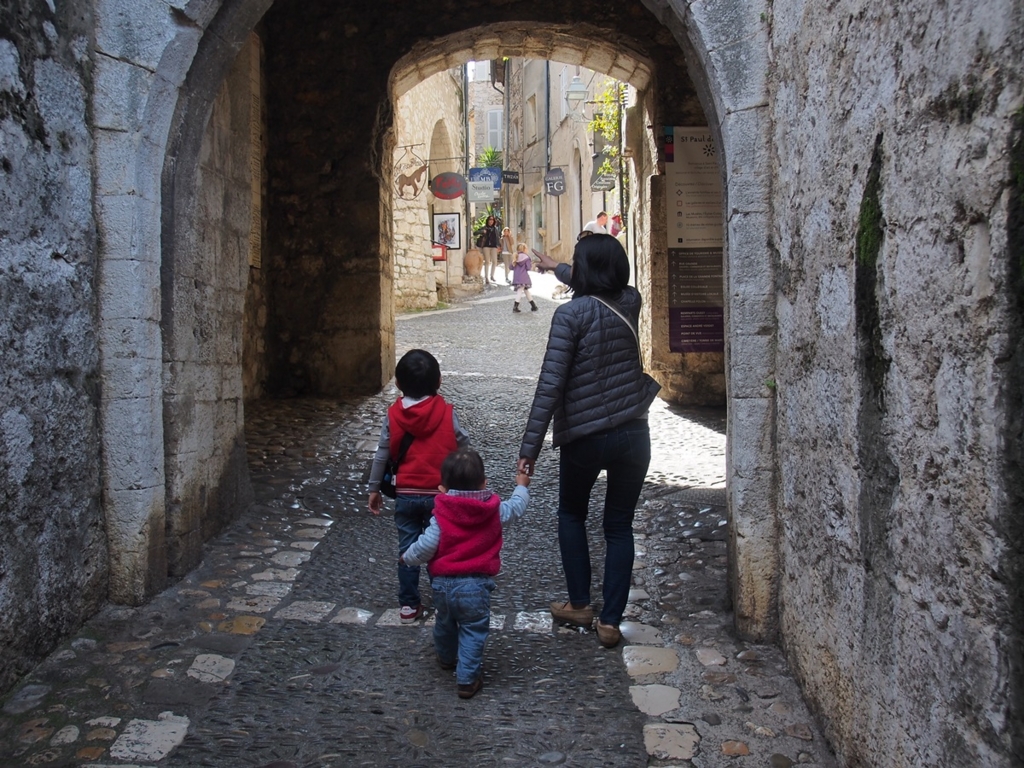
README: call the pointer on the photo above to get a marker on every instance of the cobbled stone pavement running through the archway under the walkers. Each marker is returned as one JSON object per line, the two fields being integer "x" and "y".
{"x": 284, "y": 649}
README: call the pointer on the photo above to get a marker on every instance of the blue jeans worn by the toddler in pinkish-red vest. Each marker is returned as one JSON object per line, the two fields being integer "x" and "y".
{"x": 462, "y": 622}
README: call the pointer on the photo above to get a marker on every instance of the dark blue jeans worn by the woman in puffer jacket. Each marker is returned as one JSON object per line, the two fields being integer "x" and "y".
{"x": 625, "y": 454}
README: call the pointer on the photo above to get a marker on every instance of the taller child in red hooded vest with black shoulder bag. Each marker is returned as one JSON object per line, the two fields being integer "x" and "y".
{"x": 428, "y": 428}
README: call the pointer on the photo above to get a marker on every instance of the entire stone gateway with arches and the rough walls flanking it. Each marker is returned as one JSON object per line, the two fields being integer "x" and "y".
{"x": 871, "y": 160}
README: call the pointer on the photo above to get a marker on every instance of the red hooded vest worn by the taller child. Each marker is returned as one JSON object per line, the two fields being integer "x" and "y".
{"x": 434, "y": 439}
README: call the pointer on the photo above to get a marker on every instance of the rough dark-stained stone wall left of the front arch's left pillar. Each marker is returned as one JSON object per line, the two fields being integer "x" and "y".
{"x": 53, "y": 549}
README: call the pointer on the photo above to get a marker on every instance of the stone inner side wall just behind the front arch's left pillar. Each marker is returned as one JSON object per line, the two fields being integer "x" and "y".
{"x": 204, "y": 423}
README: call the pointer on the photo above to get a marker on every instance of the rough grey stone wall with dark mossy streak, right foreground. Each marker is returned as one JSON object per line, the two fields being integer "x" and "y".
{"x": 899, "y": 325}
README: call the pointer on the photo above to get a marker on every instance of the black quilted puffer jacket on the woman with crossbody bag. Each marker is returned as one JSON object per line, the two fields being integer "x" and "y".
{"x": 592, "y": 378}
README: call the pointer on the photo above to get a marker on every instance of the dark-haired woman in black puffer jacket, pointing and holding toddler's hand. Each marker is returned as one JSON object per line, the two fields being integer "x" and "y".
{"x": 593, "y": 387}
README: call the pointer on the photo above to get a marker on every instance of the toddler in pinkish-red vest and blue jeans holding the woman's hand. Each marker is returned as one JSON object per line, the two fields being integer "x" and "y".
{"x": 462, "y": 546}
